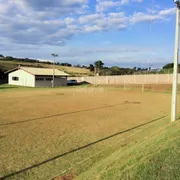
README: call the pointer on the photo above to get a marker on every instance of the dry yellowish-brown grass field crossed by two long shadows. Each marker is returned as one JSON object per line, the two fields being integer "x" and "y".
{"x": 46, "y": 133}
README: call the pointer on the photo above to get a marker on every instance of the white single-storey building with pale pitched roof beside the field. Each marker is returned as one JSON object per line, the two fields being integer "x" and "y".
{"x": 36, "y": 77}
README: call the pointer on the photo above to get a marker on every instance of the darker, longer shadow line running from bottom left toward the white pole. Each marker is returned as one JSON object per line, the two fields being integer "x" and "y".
{"x": 79, "y": 148}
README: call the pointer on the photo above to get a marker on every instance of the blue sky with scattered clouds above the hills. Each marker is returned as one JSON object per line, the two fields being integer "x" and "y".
{"x": 125, "y": 33}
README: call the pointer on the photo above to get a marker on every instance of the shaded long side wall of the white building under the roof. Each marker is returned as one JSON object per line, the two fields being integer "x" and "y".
{"x": 46, "y": 81}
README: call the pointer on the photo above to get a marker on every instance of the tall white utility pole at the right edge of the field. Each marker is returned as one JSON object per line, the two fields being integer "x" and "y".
{"x": 175, "y": 71}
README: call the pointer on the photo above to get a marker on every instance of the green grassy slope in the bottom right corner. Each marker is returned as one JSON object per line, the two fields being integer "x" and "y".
{"x": 156, "y": 157}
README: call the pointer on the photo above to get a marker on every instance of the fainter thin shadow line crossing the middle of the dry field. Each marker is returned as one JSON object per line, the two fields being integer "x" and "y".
{"x": 62, "y": 114}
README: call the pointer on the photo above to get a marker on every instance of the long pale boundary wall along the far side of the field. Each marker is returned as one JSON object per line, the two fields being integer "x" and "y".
{"x": 128, "y": 79}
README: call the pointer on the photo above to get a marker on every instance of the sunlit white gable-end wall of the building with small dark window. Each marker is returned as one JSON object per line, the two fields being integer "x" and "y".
{"x": 24, "y": 78}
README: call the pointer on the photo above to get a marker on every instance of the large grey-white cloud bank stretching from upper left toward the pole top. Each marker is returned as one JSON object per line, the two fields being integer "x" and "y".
{"x": 32, "y": 22}
